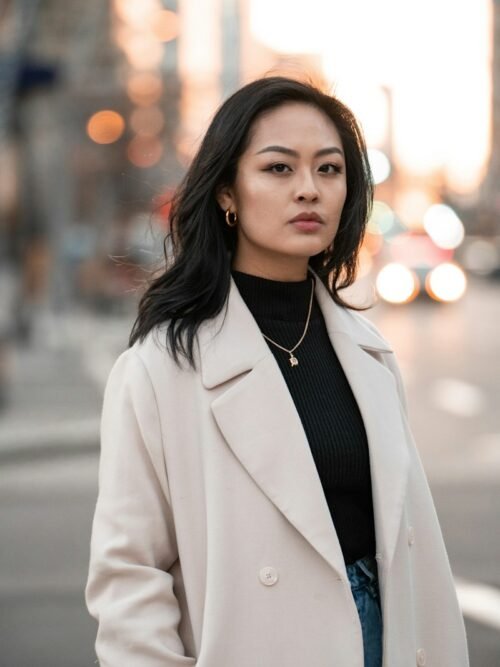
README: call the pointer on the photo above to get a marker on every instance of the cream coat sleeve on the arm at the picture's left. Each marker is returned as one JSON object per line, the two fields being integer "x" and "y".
{"x": 129, "y": 589}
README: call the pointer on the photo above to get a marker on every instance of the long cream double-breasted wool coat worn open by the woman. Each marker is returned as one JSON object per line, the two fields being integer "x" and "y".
{"x": 212, "y": 541}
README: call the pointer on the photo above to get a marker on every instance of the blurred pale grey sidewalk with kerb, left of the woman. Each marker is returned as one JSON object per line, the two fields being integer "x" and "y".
{"x": 56, "y": 385}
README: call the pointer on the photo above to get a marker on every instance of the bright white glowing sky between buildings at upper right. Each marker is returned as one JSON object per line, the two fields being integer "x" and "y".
{"x": 430, "y": 58}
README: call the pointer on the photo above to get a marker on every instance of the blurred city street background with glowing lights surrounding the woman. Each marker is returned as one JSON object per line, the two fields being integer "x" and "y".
{"x": 102, "y": 105}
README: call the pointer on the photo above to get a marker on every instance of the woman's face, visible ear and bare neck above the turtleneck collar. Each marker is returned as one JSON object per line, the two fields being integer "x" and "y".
{"x": 289, "y": 191}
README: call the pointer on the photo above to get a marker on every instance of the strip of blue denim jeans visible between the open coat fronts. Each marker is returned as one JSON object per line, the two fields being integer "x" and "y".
{"x": 363, "y": 577}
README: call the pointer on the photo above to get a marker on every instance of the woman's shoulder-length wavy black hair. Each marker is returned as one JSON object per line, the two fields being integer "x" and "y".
{"x": 195, "y": 283}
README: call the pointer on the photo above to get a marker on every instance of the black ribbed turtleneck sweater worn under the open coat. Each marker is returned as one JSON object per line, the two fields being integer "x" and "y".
{"x": 324, "y": 401}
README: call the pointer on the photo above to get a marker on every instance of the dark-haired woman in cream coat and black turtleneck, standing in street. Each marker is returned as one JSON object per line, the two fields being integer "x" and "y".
{"x": 261, "y": 500}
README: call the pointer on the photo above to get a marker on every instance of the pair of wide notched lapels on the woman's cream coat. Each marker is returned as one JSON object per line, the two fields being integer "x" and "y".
{"x": 258, "y": 419}
